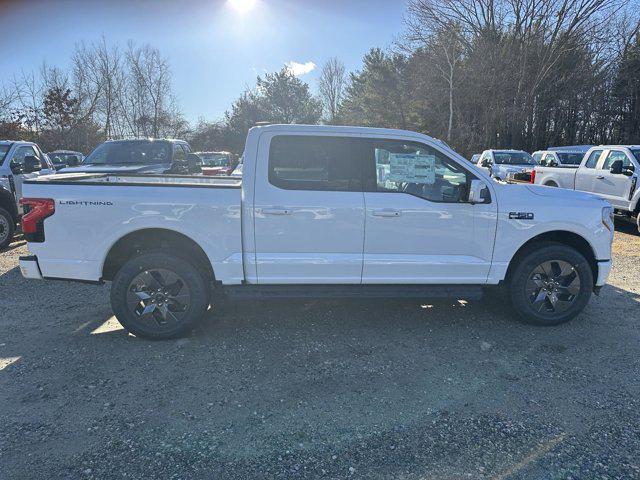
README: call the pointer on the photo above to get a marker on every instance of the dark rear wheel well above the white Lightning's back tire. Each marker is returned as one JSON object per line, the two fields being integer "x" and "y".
{"x": 141, "y": 241}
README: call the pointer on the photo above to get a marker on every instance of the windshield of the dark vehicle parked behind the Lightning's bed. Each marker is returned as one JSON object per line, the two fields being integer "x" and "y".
{"x": 145, "y": 152}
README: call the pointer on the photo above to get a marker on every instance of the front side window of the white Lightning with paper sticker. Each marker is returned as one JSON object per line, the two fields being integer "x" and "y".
{"x": 418, "y": 170}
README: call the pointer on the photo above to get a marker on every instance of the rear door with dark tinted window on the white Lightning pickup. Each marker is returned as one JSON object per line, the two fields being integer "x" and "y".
{"x": 308, "y": 209}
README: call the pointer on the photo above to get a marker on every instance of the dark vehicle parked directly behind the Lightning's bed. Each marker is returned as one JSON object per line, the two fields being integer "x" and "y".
{"x": 144, "y": 156}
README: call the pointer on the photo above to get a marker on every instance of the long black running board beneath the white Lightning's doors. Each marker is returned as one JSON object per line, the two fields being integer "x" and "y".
{"x": 467, "y": 292}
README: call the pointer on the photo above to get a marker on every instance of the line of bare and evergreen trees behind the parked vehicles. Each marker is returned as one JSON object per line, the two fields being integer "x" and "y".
{"x": 479, "y": 74}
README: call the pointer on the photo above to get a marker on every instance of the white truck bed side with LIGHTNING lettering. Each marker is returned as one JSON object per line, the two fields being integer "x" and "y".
{"x": 91, "y": 216}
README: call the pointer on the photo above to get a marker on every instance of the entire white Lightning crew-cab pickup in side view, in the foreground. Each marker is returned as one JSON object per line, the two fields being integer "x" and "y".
{"x": 320, "y": 211}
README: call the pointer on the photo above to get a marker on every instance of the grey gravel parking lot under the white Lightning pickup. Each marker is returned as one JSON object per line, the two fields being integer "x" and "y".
{"x": 320, "y": 389}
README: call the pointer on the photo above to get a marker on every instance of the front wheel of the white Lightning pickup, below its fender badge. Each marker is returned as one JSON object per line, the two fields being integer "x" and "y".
{"x": 551, "y": 284}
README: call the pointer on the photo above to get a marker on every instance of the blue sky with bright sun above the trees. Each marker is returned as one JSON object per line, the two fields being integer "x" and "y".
{"x": 216, "y": 48}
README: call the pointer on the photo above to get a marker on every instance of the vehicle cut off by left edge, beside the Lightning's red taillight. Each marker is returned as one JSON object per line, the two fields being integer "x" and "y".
{"x": 19, "y": 161}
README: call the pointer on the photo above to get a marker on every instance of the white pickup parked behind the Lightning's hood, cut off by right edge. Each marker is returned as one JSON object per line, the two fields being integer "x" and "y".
{"x": 609, "y": 171}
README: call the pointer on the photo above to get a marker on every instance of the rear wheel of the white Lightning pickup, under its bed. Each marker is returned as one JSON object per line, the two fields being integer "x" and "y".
{"x": 158, "y": 296}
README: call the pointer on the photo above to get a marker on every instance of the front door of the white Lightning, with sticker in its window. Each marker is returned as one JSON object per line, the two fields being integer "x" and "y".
{"x": 419, "y": 226}
